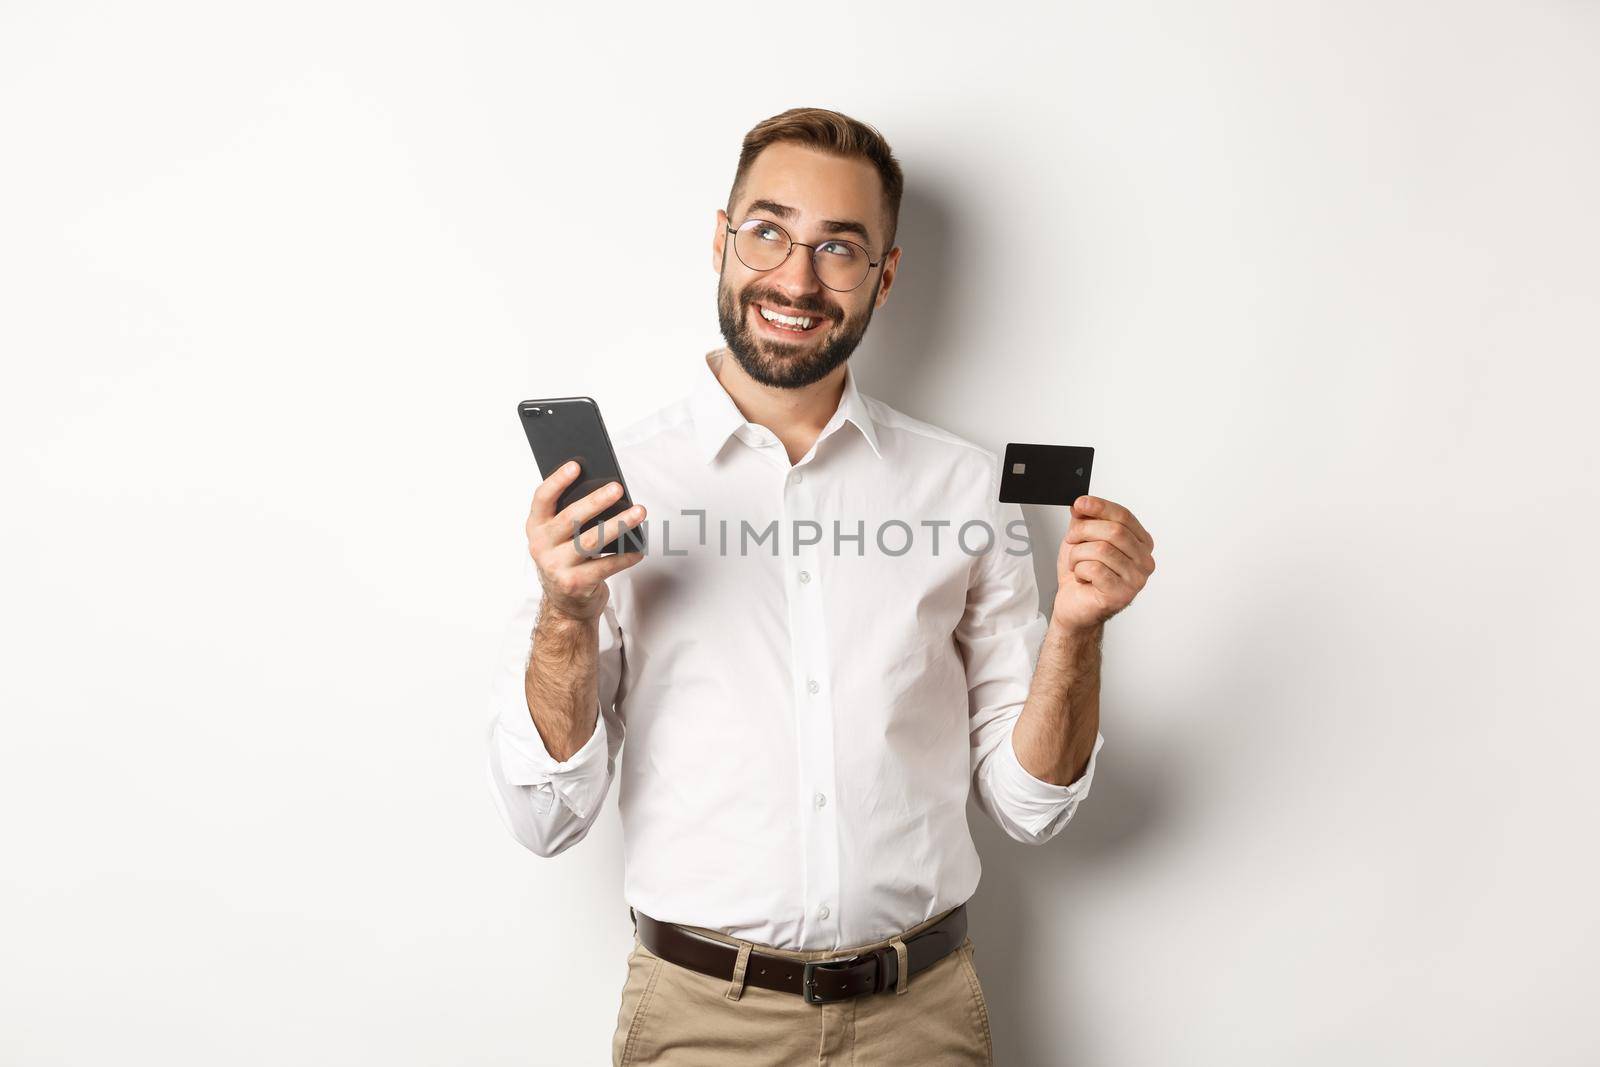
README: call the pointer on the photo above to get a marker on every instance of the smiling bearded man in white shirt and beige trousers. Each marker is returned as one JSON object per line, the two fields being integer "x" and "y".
{"x": 815, "y": 661}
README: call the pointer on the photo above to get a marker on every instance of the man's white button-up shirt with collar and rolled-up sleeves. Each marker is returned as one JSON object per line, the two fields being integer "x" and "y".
{"x": 812, "y": 668}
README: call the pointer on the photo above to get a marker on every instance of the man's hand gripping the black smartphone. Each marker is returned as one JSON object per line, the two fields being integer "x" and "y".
{"x": 574, "y": 581}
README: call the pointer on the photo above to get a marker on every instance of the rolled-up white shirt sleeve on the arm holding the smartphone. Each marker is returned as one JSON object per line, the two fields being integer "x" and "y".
{"x": 550, "y": 805}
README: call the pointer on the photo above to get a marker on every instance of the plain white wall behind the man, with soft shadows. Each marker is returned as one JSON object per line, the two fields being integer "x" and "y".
{"x": 1319, "y": 282}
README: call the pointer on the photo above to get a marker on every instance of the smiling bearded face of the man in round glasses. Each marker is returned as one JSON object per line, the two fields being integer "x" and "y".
{"x": 809, "y": 194}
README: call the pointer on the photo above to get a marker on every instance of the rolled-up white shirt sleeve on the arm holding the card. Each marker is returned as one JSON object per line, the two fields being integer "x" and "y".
{"x": 1001, "y": 634}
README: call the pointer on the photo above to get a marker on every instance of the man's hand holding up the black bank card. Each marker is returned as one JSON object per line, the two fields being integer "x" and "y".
{"x": 1103, "y": 564}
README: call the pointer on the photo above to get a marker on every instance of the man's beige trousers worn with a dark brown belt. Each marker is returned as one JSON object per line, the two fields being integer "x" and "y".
{"x": 673, "y": 1017}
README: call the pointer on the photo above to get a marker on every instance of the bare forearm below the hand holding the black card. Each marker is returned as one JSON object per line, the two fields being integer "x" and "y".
{"x": 1055, "y": 735}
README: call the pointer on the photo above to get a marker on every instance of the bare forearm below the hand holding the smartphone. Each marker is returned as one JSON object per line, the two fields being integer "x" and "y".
{"x": 561, "y": 685}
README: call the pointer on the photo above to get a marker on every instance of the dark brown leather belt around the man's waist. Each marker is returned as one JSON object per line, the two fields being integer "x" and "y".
{"x": 818, "y": 981}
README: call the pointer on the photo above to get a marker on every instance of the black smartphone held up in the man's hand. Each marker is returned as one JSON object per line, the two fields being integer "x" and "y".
{"x": 570, "y": 428}
